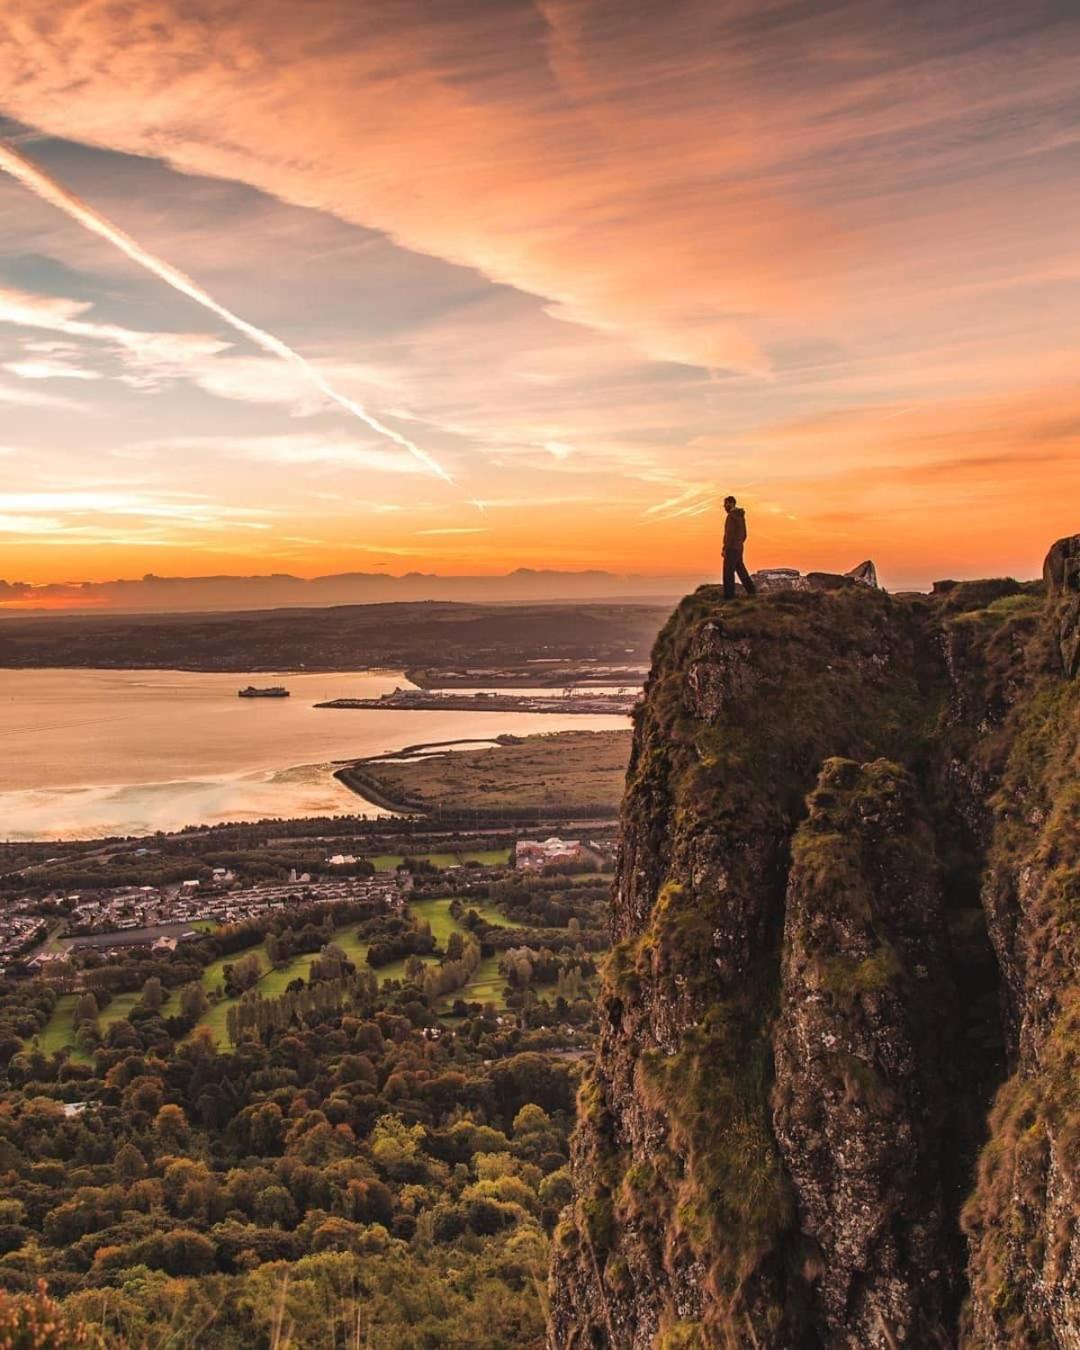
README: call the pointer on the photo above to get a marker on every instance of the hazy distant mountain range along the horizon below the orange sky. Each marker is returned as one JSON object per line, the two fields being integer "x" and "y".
{"x": 159, "y": 595}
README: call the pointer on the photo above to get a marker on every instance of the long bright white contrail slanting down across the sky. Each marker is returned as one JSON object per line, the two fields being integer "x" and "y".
{"x": 40, "y": 183}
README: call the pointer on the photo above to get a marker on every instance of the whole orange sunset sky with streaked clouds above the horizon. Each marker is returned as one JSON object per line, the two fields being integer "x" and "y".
{"x": 605, "y": 261}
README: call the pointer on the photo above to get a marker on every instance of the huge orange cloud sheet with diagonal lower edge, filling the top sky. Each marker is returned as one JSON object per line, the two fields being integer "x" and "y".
{"x": 704, "y": 180}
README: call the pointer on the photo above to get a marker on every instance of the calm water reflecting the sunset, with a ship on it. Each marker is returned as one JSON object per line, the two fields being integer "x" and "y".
{"x": 91, "y": 754}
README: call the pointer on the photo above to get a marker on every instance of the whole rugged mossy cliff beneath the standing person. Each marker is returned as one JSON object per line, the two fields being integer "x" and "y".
{"x": 844, "y": 920}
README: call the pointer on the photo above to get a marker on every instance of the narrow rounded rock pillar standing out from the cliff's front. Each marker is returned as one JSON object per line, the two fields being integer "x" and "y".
{"x": 862, "y": 1052}
